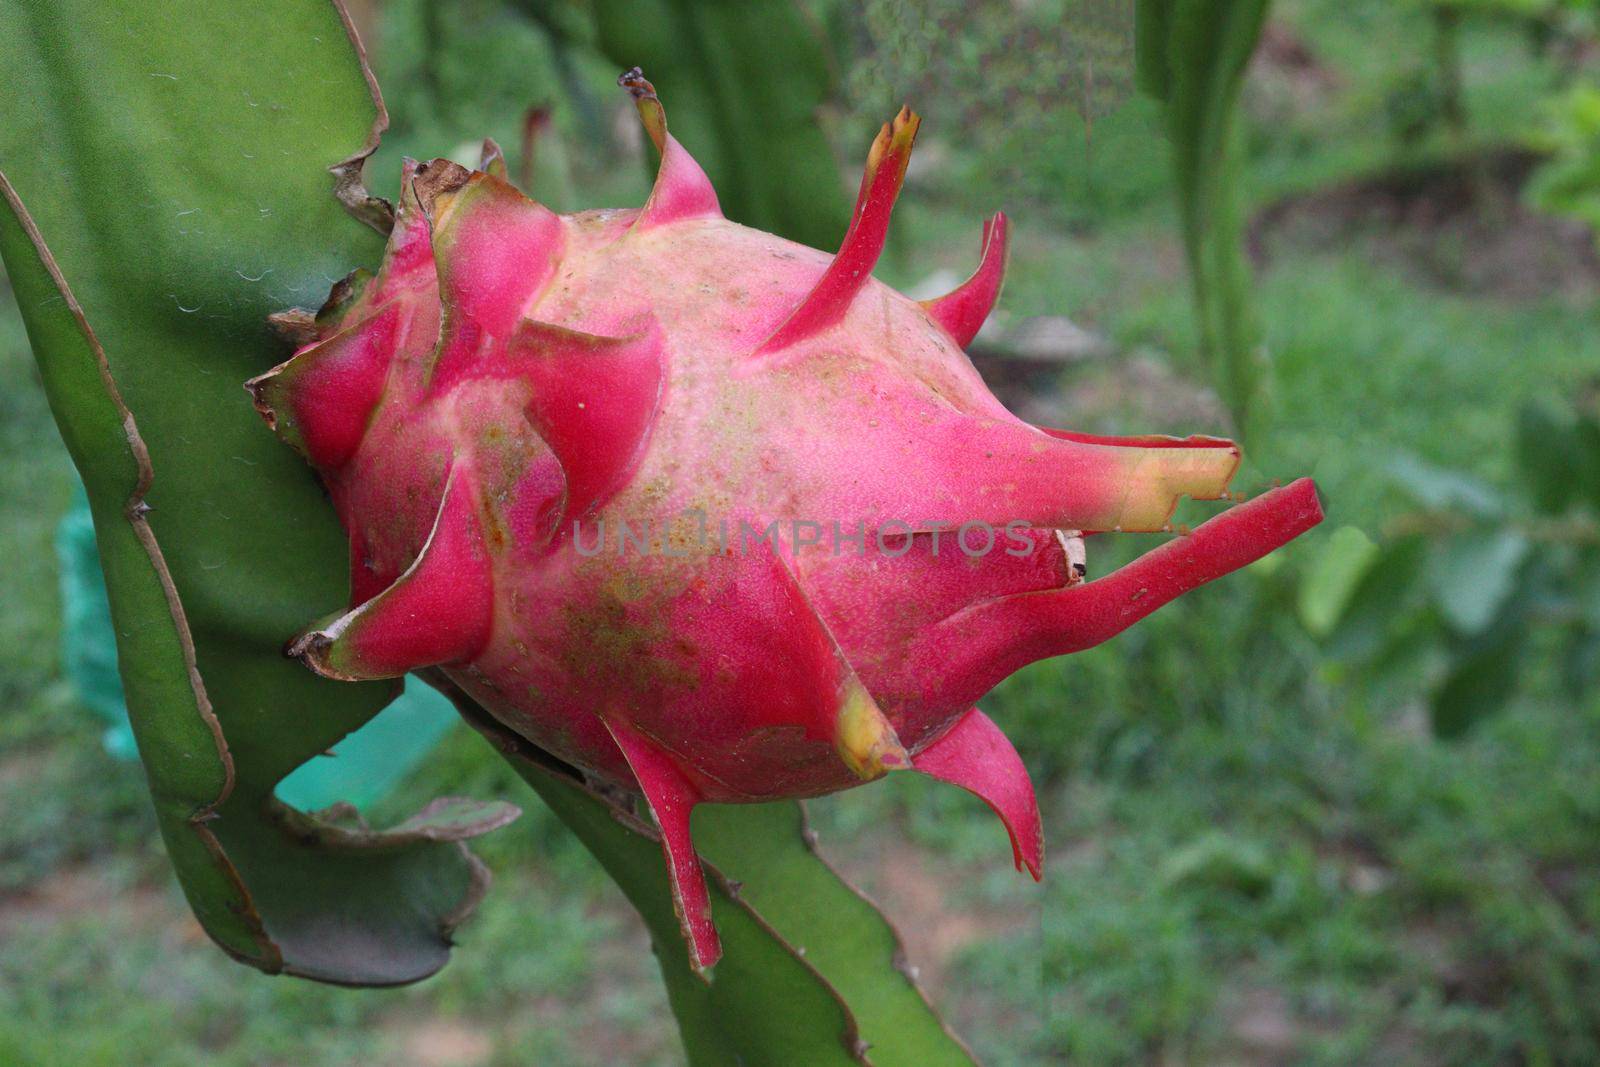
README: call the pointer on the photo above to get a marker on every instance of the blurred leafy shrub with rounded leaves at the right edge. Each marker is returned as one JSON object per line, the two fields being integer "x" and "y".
{"x": 1468, "y": 581}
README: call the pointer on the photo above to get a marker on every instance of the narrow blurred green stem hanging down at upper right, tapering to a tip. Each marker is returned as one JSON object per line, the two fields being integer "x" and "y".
{"x": 1193, "y": 55}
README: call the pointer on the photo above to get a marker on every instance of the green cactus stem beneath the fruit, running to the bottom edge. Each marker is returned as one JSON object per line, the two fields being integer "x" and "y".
{"x": 810, "y": 970}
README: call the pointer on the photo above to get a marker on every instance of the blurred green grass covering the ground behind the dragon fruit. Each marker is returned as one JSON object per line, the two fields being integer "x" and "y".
{"x": 1254, "y": 858}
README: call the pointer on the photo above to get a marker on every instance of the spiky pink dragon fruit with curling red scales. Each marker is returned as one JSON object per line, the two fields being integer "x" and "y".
{"x": 713, "y": 516}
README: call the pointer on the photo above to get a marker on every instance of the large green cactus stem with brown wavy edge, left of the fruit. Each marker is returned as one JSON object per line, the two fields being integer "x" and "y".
{"x": 167, "y": 190}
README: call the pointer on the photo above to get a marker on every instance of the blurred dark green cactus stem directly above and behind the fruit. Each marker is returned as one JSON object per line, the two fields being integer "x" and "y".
{"x": 743, "y": 84}
